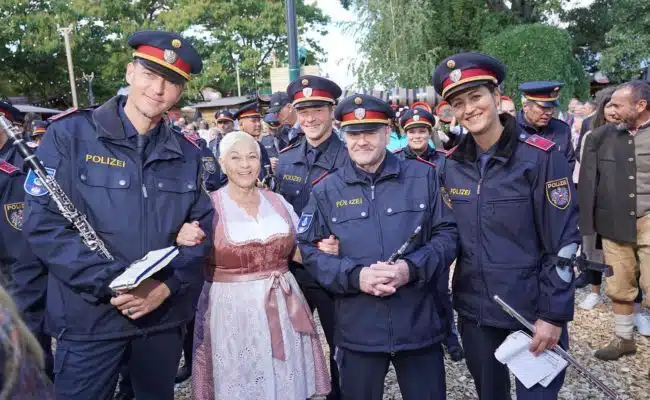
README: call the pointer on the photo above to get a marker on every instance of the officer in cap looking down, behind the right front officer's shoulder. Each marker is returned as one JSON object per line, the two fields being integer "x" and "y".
{"x": 536, "y": 118}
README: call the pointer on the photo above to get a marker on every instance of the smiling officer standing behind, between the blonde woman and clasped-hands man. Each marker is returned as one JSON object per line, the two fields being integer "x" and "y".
{"x": 300, "y": 165}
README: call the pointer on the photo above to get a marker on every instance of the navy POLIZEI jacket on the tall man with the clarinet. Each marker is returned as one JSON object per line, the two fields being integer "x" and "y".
{"x": 134, "y": 206}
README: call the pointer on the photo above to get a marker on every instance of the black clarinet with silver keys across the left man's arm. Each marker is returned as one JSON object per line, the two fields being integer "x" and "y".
{"x": 67, "y": 209}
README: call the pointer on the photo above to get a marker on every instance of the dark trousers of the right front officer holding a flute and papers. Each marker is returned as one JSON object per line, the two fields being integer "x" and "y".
{"x": 491, "y": 378}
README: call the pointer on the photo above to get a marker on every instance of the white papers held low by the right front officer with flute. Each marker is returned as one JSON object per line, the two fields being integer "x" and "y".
{"x": 529, "y": 369}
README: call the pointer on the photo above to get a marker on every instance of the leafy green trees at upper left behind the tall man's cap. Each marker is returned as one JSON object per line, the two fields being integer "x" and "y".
{"x": 225, "y": 32}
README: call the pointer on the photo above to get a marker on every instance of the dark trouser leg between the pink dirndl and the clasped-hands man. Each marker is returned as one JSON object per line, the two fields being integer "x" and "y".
{"x": 319, "y": 299}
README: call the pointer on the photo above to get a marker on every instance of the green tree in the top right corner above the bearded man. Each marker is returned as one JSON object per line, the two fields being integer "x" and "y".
{"x": 627, "y": 43}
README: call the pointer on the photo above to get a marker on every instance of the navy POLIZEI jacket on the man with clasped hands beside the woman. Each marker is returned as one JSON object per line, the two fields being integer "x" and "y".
{"x": 372, "y": 222}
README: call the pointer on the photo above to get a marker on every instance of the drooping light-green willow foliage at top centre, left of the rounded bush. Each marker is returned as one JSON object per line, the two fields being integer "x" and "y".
{"x": 403, "y": 40}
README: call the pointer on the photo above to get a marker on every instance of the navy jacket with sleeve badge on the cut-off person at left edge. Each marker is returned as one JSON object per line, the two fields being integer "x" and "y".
{"x": 24, "y": 276}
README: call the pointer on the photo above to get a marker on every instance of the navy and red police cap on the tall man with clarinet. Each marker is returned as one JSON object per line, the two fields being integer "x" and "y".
{"x": 167, "y": 53}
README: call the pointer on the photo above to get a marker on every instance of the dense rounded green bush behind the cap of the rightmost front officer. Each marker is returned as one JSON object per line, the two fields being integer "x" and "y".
{"x": 538, "y": 52}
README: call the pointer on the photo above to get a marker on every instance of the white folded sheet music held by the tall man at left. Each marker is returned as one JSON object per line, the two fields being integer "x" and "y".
{"x": 142, "y": 269}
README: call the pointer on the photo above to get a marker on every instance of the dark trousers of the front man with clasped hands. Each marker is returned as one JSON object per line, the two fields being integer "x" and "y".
{"x": 420, "y": 373}
